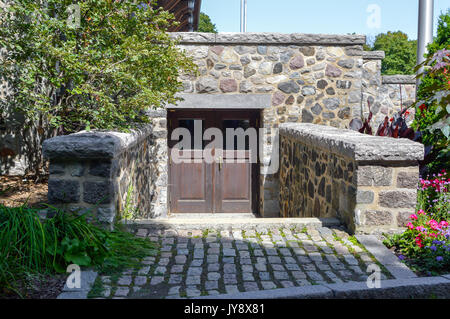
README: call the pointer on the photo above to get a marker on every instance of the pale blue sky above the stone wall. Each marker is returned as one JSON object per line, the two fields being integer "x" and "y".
{"x": 320, "y": 16}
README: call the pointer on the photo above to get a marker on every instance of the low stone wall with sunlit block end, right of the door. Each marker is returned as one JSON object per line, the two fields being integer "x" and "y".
{"x": 369, "y": 182}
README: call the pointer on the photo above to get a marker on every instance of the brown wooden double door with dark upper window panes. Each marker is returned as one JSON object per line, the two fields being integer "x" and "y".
{"x": 220, "y": 180}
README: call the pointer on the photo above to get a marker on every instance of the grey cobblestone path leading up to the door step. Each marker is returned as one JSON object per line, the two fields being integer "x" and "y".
{"x": 193, "y": 263}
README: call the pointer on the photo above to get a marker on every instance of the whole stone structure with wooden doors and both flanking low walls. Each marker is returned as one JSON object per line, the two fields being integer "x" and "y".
{"x": 303, "y": 89}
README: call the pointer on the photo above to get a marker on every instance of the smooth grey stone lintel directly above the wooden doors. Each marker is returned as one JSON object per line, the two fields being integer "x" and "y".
{"x": 223, "y": 101}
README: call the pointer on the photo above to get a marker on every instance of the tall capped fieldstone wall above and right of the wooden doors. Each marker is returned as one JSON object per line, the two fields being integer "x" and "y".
{"x": 309, "y": 79}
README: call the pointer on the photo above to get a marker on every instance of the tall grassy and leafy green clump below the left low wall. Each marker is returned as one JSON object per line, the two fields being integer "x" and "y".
{"x": 30, "y": 246}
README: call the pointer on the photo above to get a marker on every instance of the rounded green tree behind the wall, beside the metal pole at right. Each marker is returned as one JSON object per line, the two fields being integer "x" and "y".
{"x": 400, "y": 52}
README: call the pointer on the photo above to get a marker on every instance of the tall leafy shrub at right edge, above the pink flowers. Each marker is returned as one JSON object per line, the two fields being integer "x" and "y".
{"x": 432, "y": 108}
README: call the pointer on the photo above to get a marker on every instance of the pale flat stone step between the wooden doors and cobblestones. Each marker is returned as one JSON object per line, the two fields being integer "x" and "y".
{"x": 219, "y": 223}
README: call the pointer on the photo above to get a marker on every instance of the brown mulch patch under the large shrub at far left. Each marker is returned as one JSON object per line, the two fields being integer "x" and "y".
{"x": 18, "y": 190}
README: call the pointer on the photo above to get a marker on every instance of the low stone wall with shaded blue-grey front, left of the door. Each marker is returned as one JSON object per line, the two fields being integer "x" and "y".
{"x": 111, "y": 174}
